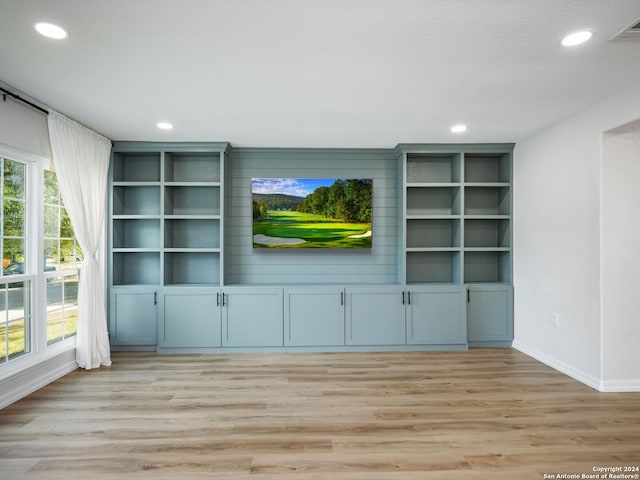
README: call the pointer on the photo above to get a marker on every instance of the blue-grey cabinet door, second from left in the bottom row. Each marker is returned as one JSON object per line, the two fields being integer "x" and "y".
{"x": 189, "y": 317}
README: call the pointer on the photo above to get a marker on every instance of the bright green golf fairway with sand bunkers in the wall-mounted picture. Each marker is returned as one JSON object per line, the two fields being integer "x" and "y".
{"x": 291, "y": 229}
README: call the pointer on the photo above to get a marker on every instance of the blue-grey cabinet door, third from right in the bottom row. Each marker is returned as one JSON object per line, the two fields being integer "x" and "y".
{"x": 375, "y": 316}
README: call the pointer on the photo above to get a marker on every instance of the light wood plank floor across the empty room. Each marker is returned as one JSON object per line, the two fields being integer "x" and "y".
{"x": 482, "y": 414}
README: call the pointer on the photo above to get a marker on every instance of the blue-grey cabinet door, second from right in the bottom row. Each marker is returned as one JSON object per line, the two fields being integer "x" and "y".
{"x": 436, "y": 315}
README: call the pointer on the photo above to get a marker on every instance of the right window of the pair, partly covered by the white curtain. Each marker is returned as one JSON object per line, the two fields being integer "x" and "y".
{"x": 63, "y": 257}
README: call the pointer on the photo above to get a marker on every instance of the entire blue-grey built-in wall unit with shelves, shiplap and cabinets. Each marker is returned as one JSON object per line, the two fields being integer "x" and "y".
{"x": 183, "y": 274}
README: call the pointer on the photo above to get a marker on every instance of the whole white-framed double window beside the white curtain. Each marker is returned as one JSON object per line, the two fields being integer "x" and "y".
{"x": 40, "y": 260}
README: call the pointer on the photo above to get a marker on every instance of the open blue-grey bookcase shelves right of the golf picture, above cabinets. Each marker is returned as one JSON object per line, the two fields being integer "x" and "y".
{"x": 457, "y": 214}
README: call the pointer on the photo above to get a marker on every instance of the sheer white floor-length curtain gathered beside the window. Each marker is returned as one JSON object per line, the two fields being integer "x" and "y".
{"x": 81, "y": 159}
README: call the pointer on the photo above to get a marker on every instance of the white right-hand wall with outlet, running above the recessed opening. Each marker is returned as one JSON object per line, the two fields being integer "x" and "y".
{"x": 557, "y": 239}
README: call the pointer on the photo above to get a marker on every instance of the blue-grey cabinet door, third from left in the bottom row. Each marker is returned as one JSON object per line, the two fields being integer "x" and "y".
{"x": 252, "y": 317}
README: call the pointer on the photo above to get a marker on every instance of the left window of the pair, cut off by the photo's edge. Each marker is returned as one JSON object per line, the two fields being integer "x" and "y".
{"x": 15, "y": 316}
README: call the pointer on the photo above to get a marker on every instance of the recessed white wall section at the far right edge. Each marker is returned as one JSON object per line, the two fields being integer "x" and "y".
{"x": 620, "y": 258}
